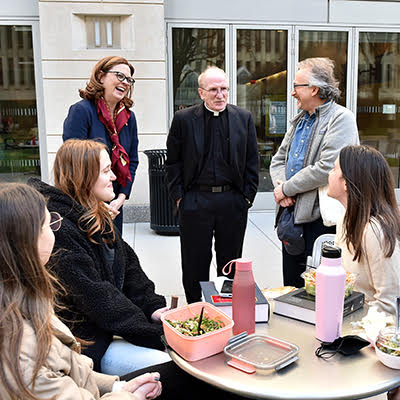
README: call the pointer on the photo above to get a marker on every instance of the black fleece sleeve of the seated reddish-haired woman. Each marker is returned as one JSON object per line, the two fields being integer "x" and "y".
{"x": 93, "y": 294}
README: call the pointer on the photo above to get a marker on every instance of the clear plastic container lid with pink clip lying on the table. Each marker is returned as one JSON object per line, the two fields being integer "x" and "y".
{"x": 252, "y": 352}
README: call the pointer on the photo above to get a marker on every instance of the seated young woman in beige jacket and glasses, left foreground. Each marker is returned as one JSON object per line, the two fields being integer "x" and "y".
{"x": 39, "y": 356}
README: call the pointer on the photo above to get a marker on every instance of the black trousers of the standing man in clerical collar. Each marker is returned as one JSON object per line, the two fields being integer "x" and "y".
{"x": 202, "y": 217}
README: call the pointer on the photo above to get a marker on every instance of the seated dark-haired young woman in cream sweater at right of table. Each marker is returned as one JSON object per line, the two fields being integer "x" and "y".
{"x": 369, "y": 233}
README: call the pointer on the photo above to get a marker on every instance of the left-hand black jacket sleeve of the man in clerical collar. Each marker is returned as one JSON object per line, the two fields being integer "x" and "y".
{"x": 174, "y": 162}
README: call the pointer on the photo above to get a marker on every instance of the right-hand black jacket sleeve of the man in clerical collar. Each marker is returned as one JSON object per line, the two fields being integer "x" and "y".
{"x": 251, "y": 172}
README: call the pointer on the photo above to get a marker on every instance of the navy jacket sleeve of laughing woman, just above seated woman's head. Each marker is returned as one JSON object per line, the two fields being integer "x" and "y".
{"x": 77, "y": 123}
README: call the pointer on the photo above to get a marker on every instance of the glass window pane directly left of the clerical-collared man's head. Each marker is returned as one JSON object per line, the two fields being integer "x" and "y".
{"x": 193, "y": 50}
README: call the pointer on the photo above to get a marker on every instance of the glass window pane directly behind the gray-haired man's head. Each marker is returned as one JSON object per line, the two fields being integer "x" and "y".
{"x": 331, "y": 44}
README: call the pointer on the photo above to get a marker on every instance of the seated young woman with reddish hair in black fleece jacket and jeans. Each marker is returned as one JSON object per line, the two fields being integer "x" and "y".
{"x": 107, "y": 292}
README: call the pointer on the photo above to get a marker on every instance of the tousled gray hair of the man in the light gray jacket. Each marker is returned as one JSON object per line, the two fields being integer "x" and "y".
{"x": 322, "y": 76}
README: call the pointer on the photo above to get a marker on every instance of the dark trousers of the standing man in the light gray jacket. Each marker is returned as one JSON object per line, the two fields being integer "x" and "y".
{"x": 294, "y": 266}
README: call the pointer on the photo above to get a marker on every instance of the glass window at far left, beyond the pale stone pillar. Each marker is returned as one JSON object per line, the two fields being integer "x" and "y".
{"x": 19, "y": 139}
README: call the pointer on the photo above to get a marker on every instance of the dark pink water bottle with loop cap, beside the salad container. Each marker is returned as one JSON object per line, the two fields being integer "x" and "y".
{"x": 243, "y": 297}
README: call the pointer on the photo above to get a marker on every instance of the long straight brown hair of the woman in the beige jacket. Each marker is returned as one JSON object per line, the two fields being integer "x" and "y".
{"x": 26, "y": 287}
